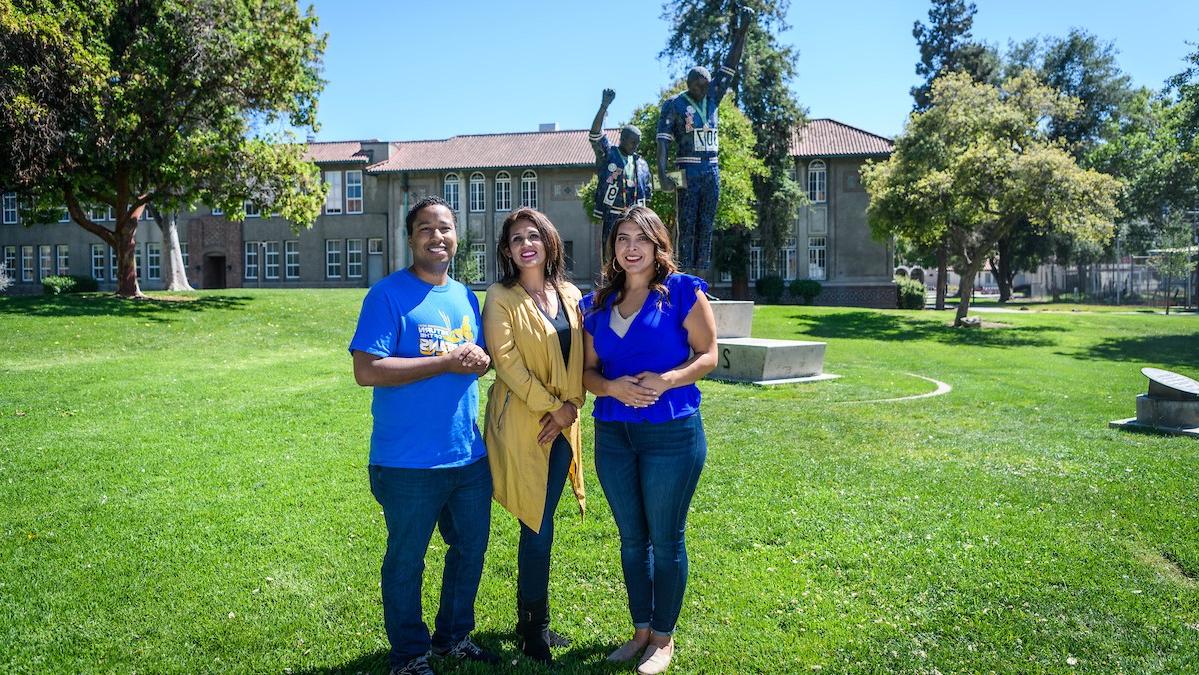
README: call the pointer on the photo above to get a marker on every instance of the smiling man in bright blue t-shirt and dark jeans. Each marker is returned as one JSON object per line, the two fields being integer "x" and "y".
{"x": 419, "y": 343}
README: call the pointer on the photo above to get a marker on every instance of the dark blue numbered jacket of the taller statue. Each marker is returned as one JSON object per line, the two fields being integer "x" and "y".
{"x": 692, "y": 125}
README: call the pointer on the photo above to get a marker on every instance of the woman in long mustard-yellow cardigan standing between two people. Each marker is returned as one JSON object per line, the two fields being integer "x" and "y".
{"x": 533, "y": 329}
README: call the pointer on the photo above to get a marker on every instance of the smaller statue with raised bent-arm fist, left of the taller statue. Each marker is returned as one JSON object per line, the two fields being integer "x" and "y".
{"x": 624, "y": 177}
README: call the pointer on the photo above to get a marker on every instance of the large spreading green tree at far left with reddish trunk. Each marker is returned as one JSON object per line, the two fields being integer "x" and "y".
{"x": 129, "y": 104}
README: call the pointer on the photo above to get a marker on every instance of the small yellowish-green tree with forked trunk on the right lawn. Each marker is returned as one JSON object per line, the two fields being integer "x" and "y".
{"x": 975, "y": 164}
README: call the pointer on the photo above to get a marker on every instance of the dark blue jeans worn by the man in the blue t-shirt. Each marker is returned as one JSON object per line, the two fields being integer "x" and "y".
{"x": 459, "y": 501}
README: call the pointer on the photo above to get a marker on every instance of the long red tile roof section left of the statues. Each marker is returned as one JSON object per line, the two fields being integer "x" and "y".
{"x": 493, "y": 150}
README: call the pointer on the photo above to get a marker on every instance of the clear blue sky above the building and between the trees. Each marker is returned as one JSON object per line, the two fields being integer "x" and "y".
{"x": 419, "y": 70}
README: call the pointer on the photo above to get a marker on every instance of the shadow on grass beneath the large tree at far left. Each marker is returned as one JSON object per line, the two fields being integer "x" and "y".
{"x": 107, "y": 305}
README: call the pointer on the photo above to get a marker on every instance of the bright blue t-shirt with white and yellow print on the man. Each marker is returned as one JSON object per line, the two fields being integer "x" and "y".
{"x": 431, "y": 424}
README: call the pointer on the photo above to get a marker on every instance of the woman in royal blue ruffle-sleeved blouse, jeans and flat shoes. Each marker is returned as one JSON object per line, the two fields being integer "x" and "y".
{"x": 649, "y": 335}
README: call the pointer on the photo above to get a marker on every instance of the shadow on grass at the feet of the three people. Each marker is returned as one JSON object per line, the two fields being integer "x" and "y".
{"x": 591, "y": 659}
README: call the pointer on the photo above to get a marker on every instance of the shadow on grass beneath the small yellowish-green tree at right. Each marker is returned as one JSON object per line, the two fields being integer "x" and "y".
{"x": 882, "y": 327}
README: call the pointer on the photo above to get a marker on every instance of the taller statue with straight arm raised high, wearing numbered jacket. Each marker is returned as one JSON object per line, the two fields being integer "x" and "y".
{"x": 690, "y": 120}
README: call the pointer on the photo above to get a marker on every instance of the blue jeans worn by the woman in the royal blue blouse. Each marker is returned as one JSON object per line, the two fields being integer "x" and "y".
{"x": 649, "y": 473}
